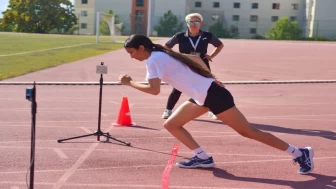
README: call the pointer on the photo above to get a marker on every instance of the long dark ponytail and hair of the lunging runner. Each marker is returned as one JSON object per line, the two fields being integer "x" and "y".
{"x": 136, "y": 40}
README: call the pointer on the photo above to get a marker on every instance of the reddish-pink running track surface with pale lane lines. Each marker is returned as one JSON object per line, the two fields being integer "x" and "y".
{"x": 301, "y": 114}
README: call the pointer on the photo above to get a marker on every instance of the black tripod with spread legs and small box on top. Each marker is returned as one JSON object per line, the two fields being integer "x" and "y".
{"x": 100, "y": 69}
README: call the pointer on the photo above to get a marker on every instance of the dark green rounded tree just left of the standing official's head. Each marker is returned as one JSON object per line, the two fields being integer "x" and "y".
{"x": 169, "y": 25}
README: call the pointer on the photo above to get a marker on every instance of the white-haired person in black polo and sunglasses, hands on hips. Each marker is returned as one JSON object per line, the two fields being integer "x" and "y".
{"x": 193, "y": 41}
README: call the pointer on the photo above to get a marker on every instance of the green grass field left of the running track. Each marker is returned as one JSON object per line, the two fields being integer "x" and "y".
{"x": 20, "y": 64}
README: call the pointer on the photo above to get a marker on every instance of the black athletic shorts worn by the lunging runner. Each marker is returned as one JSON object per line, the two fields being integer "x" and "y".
{"x": 218, "y": 99}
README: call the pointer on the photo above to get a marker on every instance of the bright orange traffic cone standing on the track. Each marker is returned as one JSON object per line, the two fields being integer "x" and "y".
{"x": 124, "y": 117}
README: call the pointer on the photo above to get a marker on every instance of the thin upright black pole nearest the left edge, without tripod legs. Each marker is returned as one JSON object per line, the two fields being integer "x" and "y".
{"x": 32, "y": 148}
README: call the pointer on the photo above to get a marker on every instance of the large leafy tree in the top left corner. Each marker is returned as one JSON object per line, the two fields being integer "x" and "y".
{"x": 38, "y": 16}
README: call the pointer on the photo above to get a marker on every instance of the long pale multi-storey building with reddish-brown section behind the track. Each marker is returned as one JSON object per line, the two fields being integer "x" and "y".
{"x": 251, "y": 17}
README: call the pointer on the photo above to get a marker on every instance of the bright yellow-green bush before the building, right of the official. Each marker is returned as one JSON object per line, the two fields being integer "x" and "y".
{"x": 285, "y": 29}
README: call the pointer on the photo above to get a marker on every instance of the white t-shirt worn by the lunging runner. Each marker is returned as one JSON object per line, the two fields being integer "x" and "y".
{"x": 161, "y": 65}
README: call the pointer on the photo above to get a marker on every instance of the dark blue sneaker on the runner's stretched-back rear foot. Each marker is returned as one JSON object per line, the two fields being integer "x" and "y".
{"x": 306, "y": 161}
